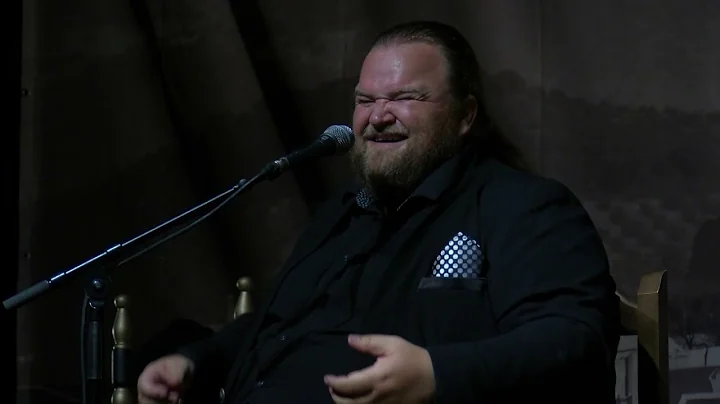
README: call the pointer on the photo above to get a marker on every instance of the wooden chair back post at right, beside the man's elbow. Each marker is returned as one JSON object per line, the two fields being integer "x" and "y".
{"x": 647, "y": 318}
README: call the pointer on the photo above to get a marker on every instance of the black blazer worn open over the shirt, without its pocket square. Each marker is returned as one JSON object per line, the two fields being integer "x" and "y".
{"x": 540, "y": 320}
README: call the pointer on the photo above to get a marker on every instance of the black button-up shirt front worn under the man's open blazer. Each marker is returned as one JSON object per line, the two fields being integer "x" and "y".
{"x": 304, "y": 334}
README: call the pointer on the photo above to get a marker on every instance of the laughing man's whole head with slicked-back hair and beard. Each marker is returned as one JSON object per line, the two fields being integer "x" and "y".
{"x": 415, "y": 104}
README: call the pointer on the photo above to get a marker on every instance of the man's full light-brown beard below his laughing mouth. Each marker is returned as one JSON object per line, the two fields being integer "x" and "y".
{"x": 391, "y": 176}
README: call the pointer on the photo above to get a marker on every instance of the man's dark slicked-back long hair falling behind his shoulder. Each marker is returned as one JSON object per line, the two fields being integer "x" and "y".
{"x": 465, "y": 77}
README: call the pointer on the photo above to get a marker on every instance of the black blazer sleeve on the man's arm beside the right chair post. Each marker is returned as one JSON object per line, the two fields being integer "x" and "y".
{"x": 553, "y": 300}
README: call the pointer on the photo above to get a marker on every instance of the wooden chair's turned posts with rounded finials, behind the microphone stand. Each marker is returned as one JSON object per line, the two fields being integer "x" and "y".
{"x": 123, "y": 392}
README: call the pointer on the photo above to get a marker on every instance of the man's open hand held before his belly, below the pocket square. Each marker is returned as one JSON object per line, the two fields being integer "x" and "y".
{"x": 402, "y": 373}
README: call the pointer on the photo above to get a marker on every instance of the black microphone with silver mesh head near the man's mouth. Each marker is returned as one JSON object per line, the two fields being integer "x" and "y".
{"x": 337, "y": 139}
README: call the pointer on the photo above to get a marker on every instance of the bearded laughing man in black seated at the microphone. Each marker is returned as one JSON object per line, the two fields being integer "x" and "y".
{"x": 450, "y": 275}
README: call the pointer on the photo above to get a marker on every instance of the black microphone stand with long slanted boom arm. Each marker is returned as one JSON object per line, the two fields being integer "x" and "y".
{"x": 97, "y": 285}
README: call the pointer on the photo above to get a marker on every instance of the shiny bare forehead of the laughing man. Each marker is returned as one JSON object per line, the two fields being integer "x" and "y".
{"x": 396, "y": 67}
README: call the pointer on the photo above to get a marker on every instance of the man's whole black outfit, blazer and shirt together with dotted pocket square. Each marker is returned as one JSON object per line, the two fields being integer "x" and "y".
{"x": 537, "y": 311}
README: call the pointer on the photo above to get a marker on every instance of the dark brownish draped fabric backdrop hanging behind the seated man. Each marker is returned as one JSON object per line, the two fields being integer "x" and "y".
{"x": 140, "y": 109}
